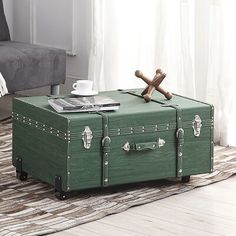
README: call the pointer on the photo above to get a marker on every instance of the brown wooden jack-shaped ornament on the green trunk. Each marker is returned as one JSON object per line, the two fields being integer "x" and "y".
{"x": 153, "y": 85}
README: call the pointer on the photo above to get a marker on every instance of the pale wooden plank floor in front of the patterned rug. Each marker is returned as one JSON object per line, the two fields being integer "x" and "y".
{"x": 209, "y": 210}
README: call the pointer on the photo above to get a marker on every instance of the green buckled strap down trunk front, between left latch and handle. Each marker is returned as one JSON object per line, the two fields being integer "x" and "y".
{"x": 106, "y": 149}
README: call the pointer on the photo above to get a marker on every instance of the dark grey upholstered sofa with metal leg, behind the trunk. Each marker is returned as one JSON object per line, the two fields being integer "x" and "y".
{"x": 27, "y": 66}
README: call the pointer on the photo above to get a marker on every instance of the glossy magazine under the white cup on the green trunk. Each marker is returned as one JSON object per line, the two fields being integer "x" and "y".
{"x": 83, "y": 104}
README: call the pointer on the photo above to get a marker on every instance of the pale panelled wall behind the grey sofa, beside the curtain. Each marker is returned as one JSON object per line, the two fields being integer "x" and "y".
{"x": 77, "y": 66}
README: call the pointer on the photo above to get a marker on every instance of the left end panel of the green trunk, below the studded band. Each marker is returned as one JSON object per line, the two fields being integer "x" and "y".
{"x": 44, "y": 156}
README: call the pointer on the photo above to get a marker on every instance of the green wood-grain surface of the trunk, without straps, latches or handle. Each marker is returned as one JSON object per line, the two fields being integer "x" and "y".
{"x": 46, "y": 155}
